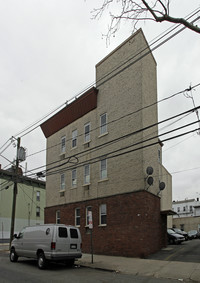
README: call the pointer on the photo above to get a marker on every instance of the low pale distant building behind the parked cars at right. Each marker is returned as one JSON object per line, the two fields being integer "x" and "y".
{"x": 187, "y": 215}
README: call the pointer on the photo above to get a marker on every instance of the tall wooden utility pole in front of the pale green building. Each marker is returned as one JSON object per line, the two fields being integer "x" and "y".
{"x": 15, "y": 192}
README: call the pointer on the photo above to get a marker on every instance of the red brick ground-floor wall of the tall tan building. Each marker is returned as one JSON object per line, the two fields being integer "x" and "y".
{"x": 135, "y": 226}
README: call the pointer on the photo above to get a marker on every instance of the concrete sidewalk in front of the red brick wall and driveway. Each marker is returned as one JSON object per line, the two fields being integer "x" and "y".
{"x": 183, "y": 271}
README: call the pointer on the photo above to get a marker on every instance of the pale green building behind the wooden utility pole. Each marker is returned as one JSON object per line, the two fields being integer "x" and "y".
{"x": 29, "y": 205}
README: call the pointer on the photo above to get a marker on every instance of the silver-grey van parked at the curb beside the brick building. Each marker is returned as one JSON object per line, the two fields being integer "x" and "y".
{"x": 49, "y": 242}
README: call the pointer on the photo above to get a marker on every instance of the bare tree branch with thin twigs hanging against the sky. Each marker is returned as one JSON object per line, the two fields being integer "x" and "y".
{"x": 140, "y": 10}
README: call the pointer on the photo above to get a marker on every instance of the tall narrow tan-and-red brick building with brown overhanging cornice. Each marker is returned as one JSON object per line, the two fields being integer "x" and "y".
{"x": 98, "y": 150}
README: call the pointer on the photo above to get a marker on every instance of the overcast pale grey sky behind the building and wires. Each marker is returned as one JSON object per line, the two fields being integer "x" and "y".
{"x": 48, "y": 53}
